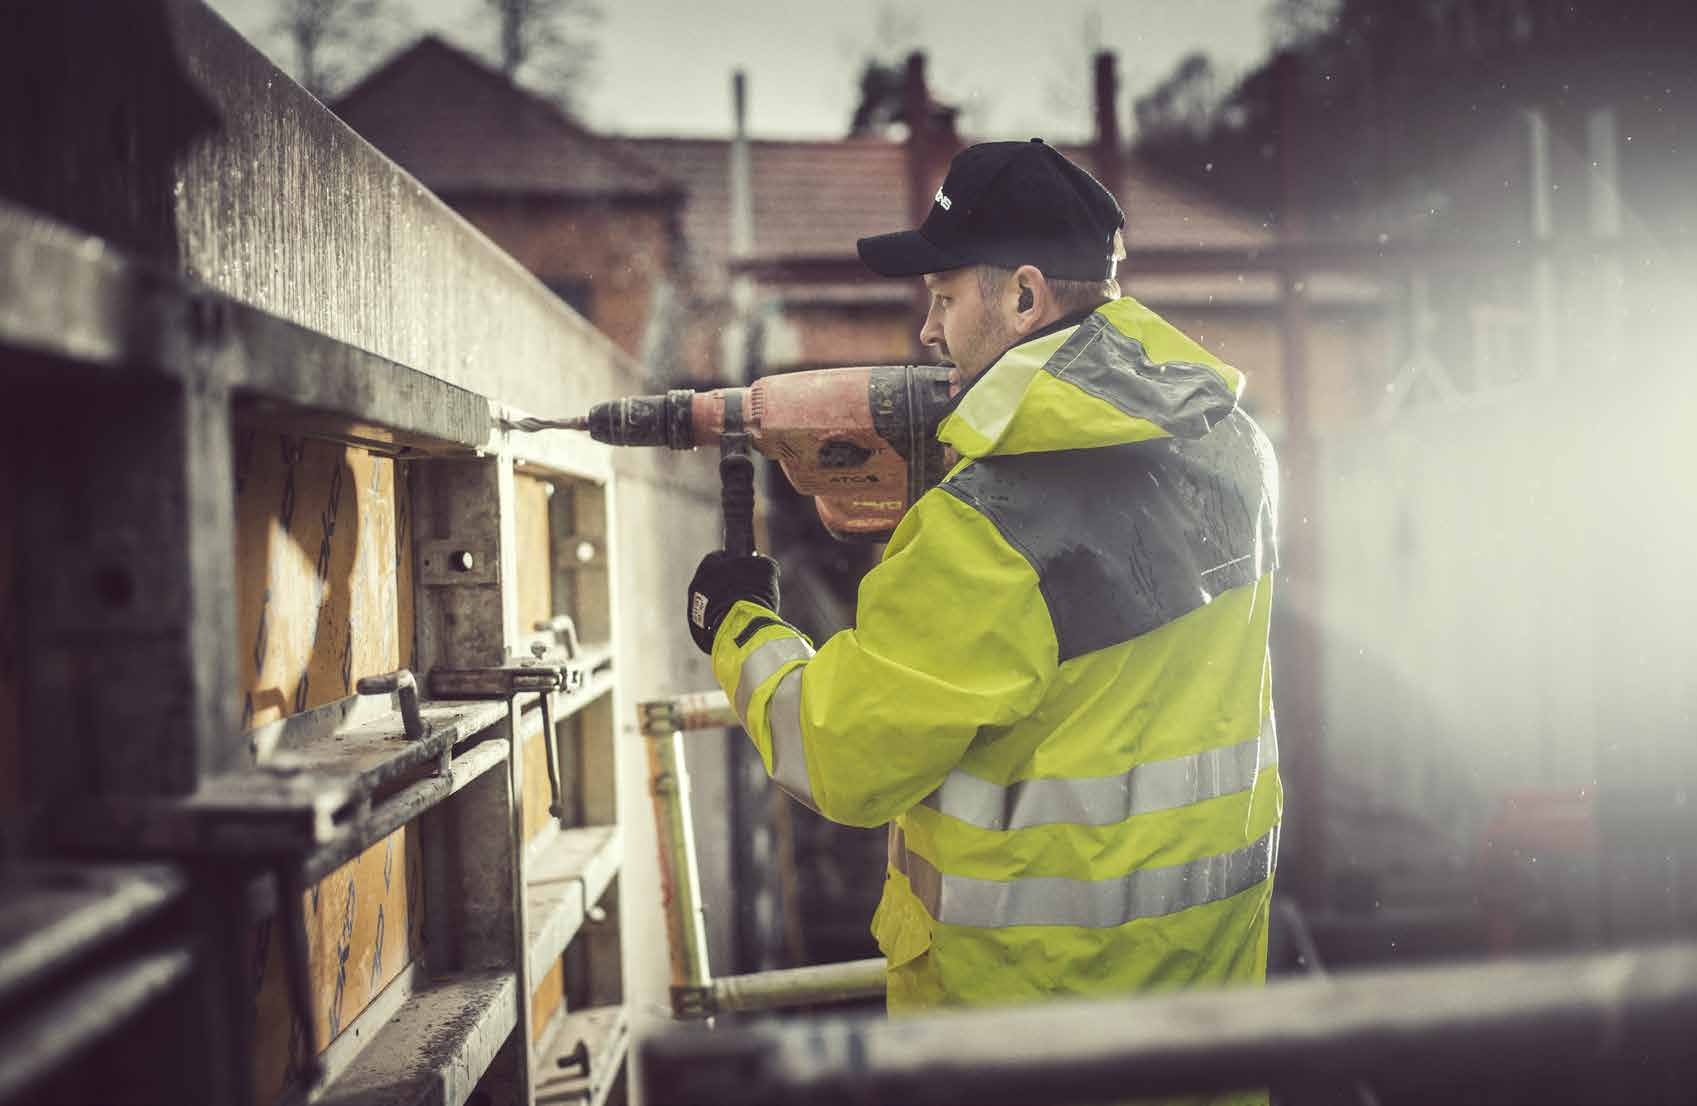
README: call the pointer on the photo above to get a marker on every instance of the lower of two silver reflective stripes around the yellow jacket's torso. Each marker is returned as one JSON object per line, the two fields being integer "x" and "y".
{"x": 1097, "y": 905}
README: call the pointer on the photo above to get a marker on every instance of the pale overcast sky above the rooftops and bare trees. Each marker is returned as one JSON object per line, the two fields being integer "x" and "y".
{"x": 1016, "y": 67}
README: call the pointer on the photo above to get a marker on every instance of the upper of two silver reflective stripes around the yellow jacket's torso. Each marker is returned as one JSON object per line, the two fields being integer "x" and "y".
{"x": 1106, "y": 800}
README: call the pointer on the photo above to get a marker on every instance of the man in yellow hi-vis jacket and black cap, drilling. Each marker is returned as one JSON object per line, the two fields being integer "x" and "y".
{"x": 1058, "y": 683}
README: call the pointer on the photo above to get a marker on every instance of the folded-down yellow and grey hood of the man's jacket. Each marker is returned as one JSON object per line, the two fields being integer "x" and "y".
{"x": 1121, "y": 376}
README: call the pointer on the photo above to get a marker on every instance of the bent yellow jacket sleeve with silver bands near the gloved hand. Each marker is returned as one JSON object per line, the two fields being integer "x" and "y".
{"x": 951, "y": 635}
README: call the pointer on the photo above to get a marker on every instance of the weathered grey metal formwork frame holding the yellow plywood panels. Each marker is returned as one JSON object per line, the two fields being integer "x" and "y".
{"x": 138, "y": 377}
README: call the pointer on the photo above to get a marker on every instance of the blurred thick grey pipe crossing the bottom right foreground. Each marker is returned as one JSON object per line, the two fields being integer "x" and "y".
{"x": 1496, "y": 1020}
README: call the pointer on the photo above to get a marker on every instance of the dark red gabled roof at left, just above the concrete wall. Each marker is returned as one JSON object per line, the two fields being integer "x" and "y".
{"x": 461, "y": 126}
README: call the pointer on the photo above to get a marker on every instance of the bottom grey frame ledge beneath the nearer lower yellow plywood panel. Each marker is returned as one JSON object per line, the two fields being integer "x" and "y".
{"x": 435, "y": 1049}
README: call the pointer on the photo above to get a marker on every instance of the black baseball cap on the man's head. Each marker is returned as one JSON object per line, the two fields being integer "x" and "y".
{"x": 1009, "y": 204}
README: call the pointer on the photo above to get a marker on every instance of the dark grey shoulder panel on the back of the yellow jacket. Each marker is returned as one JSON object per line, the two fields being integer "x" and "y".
{"x": 1129, "y": 539}
